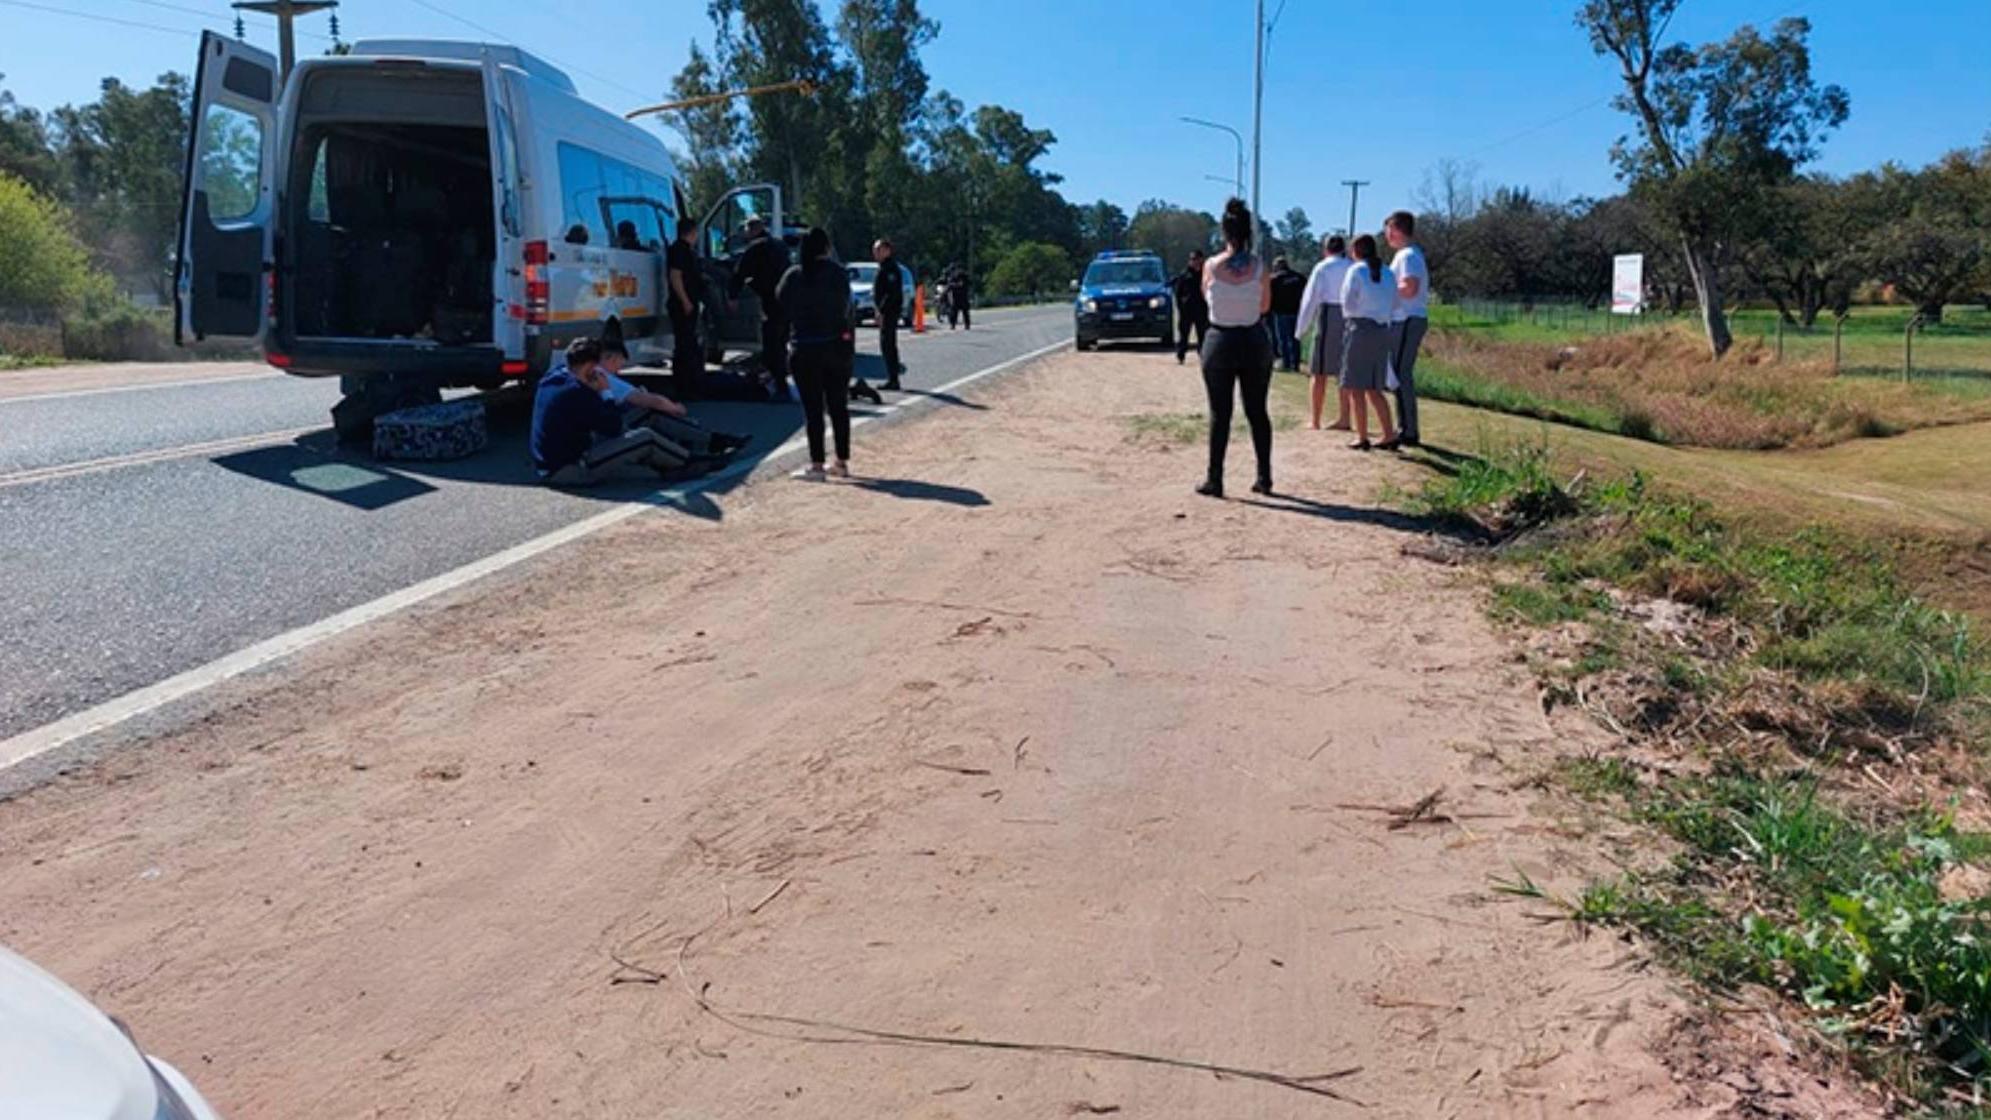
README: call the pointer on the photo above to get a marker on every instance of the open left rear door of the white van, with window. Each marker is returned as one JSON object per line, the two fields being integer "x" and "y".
{"x": 228, "y": 194}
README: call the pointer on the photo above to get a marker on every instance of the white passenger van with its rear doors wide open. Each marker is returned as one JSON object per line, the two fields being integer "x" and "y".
{"x": 433, "y": 208}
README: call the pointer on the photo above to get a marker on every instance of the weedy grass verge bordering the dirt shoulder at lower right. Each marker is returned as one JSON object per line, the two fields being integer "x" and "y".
{"x": 1803, "y": 737}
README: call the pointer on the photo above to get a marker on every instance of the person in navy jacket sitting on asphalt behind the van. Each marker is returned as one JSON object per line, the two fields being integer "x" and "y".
{"x": 578, "y": 437}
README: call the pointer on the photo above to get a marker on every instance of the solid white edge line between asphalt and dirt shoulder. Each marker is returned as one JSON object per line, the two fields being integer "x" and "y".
{"x": 154, "y": 697}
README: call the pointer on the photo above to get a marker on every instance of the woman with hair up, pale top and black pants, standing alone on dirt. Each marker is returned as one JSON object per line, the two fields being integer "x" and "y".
{"x": 1237, "y": 355}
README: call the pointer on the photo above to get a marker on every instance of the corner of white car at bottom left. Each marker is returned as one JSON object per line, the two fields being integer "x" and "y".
{"x": 63, "y": 1057}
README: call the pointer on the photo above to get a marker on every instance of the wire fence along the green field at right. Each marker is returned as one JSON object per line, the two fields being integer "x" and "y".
{"x": 1871, "y": 341}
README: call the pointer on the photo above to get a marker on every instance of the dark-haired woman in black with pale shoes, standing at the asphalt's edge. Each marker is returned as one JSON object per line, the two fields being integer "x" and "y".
{"x": 815, "y": 299}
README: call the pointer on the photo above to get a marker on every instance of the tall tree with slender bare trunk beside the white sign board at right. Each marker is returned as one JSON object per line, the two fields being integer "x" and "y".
{"x": 1717, "y": 130}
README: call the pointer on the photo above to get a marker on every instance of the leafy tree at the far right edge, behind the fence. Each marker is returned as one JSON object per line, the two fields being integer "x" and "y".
{"x": 1938, "y": 246}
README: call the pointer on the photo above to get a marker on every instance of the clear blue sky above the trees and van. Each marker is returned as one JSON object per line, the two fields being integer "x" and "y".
{"x": 1353, "y": 91}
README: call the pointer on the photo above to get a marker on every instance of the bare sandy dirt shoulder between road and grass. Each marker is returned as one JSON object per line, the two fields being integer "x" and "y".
{"x": 1014, "y": 743}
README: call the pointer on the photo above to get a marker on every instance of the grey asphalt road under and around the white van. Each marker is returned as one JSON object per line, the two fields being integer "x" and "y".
{"x": 150, "y": 532}
